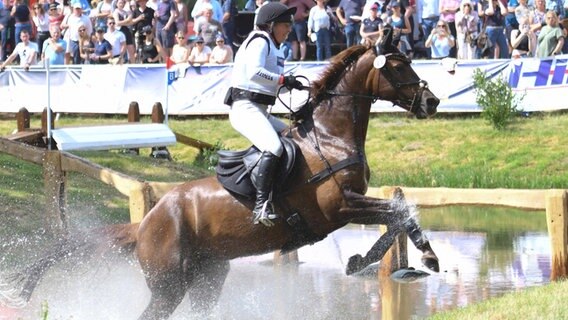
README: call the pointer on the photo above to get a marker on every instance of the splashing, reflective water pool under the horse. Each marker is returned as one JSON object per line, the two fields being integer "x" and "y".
{"x": 476, "y": 264}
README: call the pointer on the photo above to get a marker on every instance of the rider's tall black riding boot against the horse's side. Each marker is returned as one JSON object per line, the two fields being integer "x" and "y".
{"x": 263, "y": 211}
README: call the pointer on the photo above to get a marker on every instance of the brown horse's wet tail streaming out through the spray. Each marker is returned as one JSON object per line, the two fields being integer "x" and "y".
{"x": 17, "y": 288}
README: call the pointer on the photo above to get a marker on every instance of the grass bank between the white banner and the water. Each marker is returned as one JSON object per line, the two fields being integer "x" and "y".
{"x": 460, "y": 152}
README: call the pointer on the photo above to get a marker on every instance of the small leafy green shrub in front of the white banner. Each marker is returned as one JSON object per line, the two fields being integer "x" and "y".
{"x": 496, "y": 98}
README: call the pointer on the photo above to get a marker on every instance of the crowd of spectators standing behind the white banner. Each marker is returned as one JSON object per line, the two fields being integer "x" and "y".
{"x": 151, "y": 31}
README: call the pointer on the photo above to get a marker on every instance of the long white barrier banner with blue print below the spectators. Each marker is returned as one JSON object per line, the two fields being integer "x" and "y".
{"x": 201, "y": 89}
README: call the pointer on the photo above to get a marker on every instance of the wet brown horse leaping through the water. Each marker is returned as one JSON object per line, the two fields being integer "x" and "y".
{"x": 185, "y": 242}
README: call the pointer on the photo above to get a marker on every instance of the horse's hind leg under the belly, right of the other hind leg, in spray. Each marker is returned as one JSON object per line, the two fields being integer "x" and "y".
{"x": 207, "y": 283}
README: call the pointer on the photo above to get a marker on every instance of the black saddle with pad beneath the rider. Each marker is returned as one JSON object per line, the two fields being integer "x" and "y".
{"x": 237, "y": 170}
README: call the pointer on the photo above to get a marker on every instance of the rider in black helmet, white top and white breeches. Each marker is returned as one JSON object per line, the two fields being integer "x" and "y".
{"x": 257, "y": 76}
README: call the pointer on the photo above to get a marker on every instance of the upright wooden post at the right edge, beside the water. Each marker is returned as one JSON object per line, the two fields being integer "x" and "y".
{"x": 557, "y": 221}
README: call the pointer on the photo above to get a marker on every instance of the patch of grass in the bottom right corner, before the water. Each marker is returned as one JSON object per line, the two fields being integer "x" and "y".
{"x": 544, "y": 303}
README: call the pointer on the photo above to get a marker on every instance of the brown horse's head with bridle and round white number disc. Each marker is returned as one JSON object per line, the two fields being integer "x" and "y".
{"x": 396, "y": 81}
